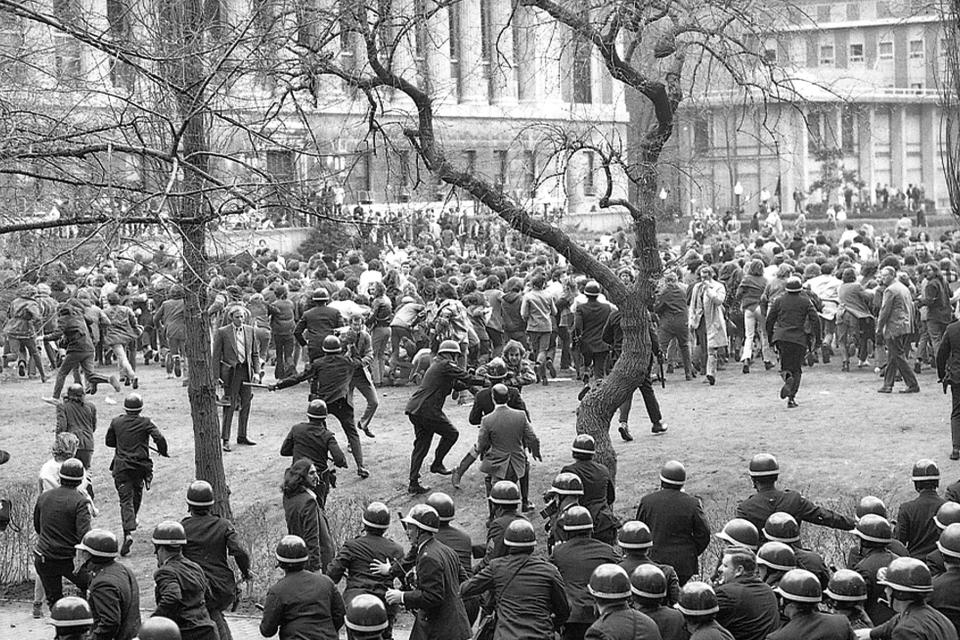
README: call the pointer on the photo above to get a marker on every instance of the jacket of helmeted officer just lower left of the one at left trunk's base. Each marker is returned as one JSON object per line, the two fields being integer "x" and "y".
{"x": 181, "y": 592}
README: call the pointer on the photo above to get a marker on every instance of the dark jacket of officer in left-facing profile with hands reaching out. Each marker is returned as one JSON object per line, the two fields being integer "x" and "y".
{"x": 436, "y": 595}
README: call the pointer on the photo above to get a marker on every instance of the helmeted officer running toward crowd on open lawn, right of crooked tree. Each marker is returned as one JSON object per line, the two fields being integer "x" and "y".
{"x": 793, "y": 327}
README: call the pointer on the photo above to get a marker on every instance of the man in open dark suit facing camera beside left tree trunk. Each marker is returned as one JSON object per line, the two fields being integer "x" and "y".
{"x": 239, "y": 363}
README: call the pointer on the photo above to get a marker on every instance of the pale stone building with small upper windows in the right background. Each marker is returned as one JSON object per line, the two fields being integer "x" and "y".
{"x": 859, "y": 80}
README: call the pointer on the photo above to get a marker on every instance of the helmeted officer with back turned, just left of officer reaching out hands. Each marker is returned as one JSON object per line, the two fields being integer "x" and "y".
{"x": 356, "y": 555}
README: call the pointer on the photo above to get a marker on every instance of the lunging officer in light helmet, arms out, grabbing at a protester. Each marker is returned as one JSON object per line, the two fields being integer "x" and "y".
{"x": 425, "y": 410}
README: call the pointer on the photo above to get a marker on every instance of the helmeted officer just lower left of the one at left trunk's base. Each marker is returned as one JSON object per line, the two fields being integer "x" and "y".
{"x": 180, "y": 585}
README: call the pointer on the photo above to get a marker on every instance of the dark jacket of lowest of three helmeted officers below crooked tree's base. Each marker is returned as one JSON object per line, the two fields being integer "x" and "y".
{"x": 576, "y": 559}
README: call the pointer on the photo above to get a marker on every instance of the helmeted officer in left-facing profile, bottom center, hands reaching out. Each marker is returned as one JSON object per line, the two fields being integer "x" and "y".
{"x": 435, "y": 596}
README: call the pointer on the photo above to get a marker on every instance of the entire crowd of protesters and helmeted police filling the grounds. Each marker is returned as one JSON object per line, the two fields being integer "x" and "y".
{"x": 433, "y": 313}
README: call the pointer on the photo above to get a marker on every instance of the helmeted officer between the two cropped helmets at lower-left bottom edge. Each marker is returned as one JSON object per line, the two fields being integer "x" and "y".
{"x": 113, "y": 594}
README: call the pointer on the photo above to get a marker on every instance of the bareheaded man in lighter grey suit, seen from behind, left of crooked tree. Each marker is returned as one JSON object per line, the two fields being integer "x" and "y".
{"x": 504, "y": 435}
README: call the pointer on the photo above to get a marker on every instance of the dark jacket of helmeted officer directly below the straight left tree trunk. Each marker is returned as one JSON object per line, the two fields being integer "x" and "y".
{"x": 209, "y": 539}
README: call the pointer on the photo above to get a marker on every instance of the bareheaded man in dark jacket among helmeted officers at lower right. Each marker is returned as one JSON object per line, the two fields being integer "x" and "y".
{"x": 748, "y": 606}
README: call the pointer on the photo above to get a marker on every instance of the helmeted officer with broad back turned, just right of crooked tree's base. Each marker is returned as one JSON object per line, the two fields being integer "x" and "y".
{"x": 679, "y": 527}
